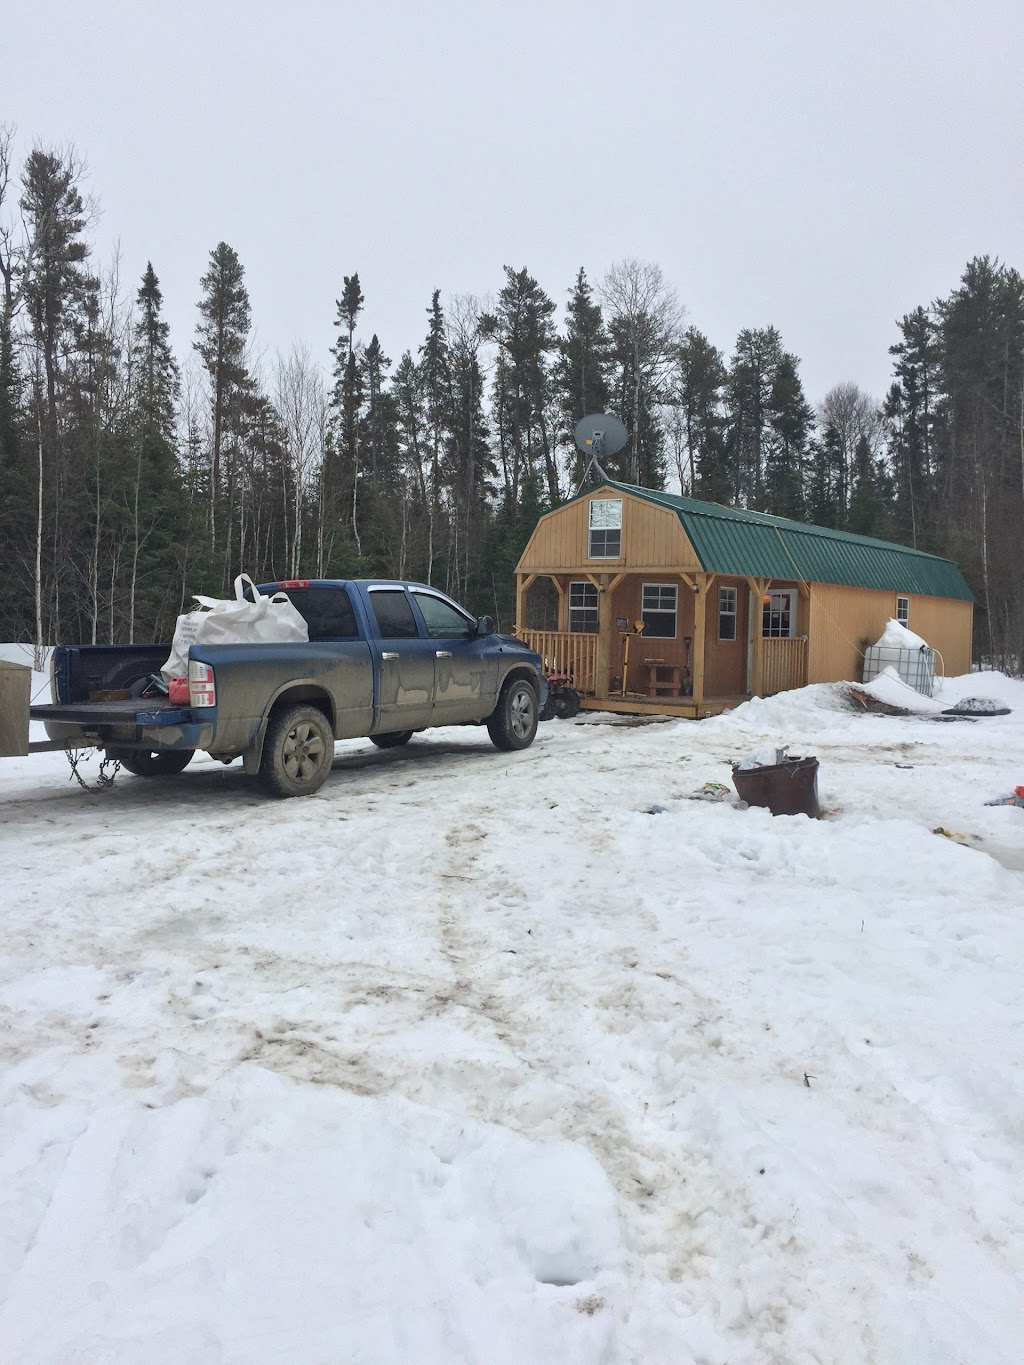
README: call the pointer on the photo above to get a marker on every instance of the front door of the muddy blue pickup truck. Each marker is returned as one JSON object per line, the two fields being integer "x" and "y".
{"x": 466, "y": 672}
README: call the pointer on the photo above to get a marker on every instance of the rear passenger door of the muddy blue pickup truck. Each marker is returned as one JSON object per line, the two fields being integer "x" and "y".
{"x": 406, "y": 689}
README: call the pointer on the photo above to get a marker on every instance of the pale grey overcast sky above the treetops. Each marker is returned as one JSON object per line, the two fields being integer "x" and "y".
{"x": 820, "y": 167}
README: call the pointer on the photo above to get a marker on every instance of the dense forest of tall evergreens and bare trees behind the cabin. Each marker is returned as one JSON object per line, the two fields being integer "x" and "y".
{"x": 137, "y": 469}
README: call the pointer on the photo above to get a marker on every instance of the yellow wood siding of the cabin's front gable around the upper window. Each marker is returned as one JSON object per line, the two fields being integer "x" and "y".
{"x": 652, "y": 538}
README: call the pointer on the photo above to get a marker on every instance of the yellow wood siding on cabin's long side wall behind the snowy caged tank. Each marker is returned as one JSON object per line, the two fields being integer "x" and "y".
{"x": 844, "y": 622}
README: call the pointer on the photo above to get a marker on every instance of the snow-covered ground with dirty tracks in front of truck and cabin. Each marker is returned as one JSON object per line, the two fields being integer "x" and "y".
{"x": 522, "y": 1059}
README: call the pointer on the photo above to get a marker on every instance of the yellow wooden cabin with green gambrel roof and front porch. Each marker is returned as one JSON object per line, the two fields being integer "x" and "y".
{"x": 660, "y": 604}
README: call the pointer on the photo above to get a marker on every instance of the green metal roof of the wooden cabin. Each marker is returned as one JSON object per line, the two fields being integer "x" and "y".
{"x": 757, "y": 545}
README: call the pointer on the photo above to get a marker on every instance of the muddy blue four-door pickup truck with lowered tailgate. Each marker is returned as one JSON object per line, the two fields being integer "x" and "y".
{"x": 384, "y": 660}
